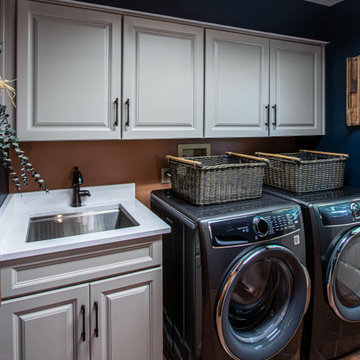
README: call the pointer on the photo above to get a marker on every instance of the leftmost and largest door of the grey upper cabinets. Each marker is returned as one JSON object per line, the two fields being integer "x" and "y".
{"x": 68, "y": 74}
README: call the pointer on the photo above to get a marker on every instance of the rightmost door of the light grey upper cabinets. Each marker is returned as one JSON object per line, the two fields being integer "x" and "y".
{"x": 296, "y": 89}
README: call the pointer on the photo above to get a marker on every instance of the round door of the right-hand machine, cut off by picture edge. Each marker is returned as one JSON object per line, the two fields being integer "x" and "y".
{"x": 343, "y": 277}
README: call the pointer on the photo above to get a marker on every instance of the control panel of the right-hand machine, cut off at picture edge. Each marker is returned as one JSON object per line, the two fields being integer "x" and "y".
{"x": 340, "y": 213}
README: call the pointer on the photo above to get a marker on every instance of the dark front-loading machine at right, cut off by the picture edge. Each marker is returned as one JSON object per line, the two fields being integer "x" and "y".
{"x": 332, "y": 224}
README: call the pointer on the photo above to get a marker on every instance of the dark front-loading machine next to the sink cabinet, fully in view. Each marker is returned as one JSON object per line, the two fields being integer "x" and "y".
{"x": 235, "y": 283}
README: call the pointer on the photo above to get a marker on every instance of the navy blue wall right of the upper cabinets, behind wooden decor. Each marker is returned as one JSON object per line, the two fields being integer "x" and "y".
{"x": 343, "y": 33}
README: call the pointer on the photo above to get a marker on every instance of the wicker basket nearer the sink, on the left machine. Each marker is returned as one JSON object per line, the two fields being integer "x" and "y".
{"x": 205, "y": 180}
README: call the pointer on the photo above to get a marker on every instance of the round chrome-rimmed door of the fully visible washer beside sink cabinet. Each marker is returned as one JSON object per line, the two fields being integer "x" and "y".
{"x": 262, "y": 302}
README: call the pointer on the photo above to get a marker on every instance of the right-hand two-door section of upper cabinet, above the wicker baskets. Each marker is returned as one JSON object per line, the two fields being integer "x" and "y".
{"x": 256, "y": 86}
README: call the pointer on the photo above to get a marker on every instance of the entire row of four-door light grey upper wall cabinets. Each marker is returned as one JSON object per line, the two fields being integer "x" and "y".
{"x": 72, "y": 66}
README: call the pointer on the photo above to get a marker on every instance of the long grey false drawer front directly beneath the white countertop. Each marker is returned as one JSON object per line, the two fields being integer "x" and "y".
{"x": 37, "y": 276}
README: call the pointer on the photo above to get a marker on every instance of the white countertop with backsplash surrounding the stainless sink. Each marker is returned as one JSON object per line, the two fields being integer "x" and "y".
{"x": 19, "y": 208}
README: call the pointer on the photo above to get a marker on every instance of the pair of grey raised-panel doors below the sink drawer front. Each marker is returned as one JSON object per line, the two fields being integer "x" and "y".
{"x": 120, "y": 319}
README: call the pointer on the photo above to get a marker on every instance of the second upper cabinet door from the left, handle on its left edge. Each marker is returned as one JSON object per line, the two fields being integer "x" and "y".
{"x": 163, "y": 80}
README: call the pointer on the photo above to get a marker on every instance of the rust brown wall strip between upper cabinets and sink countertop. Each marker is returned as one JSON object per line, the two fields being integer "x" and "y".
{"x": 114, "y": 162}
